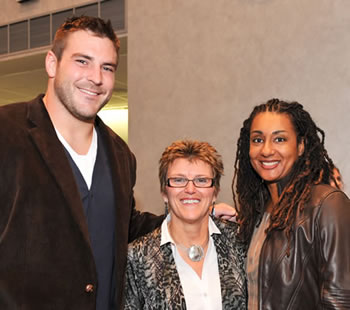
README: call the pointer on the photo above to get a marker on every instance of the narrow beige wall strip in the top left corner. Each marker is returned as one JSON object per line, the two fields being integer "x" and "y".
{"x": 32, "y": 8}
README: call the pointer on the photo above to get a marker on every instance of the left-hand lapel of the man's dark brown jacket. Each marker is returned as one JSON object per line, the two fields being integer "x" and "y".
{"x": 45, "y": 139}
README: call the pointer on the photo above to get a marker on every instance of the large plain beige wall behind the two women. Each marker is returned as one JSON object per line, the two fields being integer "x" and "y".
{"x": 197, "y": 67}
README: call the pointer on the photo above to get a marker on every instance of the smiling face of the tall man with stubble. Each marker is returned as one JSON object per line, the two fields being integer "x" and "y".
{"x": 84, "y": 77}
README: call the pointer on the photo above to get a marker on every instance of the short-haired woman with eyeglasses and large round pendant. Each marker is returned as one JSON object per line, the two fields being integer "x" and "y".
{"x": 193, "y": 261}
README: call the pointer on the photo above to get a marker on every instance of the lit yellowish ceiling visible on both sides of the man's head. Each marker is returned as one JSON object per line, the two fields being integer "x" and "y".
{"x": 23, "y": 76}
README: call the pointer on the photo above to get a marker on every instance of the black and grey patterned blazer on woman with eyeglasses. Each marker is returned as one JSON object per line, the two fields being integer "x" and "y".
{"x": 154, "y": 283}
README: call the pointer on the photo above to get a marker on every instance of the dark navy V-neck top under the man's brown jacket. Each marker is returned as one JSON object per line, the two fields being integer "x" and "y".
{"x": 98, "y": 205}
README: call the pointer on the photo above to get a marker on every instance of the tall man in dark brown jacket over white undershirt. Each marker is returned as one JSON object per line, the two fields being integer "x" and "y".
{"x": 66, "y": 184}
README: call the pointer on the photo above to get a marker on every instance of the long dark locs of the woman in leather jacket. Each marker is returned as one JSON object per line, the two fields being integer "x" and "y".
{"x": 314, "y": 166}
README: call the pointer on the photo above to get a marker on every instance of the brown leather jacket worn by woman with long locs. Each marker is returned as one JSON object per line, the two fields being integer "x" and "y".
{"x": 316, "y": 274}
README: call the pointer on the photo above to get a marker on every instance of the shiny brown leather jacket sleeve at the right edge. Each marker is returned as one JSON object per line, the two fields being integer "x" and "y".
{"x": 334, "y": 251}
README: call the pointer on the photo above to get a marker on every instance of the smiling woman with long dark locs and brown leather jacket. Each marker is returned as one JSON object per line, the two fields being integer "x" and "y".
{"x": 297, "y": 225}
